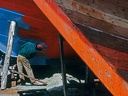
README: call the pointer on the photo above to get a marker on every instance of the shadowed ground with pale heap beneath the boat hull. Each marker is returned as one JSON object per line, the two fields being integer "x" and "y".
{"x": 52, "y": 75}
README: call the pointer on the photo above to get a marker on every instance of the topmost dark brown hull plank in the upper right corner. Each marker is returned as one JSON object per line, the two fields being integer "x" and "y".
{"x": 107, "y": 6}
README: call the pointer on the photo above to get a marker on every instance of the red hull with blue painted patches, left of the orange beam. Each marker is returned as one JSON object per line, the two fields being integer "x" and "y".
{"x": 32, "y": 26}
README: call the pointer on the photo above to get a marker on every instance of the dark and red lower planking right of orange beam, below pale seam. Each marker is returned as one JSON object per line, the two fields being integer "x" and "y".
{"x": 114, "y": 49}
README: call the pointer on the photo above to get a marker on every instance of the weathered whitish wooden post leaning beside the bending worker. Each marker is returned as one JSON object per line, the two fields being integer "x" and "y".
{"x": 8, "y": 54}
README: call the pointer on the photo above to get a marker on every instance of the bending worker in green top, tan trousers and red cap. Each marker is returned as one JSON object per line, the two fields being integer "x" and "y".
{"x": 26, "y": 52}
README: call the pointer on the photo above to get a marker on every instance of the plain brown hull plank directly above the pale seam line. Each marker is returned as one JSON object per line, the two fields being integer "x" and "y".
{"x": 95, "y": 23}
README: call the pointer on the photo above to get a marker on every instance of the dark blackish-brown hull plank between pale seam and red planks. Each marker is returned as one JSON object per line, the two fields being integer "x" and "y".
{"x": 101, "y": 38}
